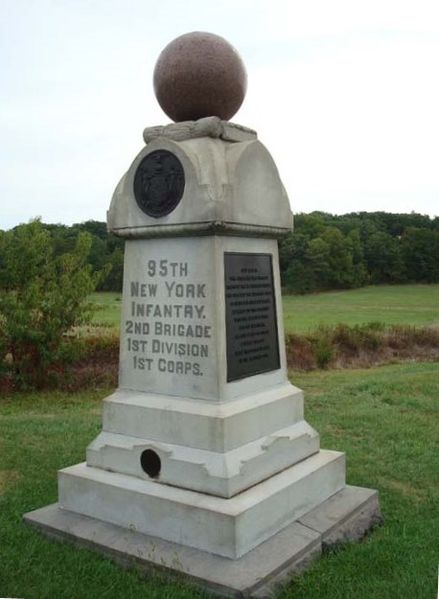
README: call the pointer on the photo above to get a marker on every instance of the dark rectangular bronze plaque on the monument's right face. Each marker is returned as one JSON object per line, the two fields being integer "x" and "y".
{"x": 251, "y": 324}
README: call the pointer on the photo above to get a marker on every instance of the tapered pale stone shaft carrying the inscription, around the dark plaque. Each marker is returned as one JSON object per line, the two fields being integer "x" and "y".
{"x": 176, "y": 283}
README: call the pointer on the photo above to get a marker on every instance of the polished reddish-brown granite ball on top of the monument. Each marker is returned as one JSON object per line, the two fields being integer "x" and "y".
{"x": 199, "y": 75}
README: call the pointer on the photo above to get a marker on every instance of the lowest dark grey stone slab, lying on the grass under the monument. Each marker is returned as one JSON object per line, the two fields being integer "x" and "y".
{"x": 346, "y": 516}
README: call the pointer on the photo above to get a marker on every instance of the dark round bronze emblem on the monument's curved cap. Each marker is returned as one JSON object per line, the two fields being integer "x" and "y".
{"x": 159, "y": 183}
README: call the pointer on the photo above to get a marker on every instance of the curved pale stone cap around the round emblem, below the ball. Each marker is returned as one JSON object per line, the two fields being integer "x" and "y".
{"x": 231, "y": 188}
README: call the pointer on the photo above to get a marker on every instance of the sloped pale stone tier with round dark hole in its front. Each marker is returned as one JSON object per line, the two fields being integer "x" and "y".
{"x": 216, "y": 473}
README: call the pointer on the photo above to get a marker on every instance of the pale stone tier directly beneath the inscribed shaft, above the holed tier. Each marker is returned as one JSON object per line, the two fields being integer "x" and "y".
{"x": 206, "y": 425}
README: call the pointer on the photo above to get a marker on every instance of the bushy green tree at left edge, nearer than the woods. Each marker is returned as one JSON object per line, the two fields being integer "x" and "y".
{"x": 42, "y": 296}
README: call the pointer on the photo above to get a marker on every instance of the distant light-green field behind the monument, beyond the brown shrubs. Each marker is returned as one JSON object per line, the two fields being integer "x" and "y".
{"x": 398, "y": 304}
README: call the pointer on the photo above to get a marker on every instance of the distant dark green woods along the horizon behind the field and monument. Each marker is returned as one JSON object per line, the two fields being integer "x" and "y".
{"x": 325, "y": 251}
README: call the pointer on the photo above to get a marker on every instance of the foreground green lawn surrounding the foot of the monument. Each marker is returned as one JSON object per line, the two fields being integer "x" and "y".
{"x": 386, "y": 419}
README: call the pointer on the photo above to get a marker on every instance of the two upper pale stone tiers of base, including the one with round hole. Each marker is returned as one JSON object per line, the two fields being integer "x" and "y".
{"x": 214, "y": 448}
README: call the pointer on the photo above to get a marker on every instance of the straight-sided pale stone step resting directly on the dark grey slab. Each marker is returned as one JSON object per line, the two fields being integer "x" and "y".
{"x": 227, "y": 527}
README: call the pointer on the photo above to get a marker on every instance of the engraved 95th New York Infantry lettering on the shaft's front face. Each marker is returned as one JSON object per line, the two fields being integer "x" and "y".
{"x": 166, "y": 327}
